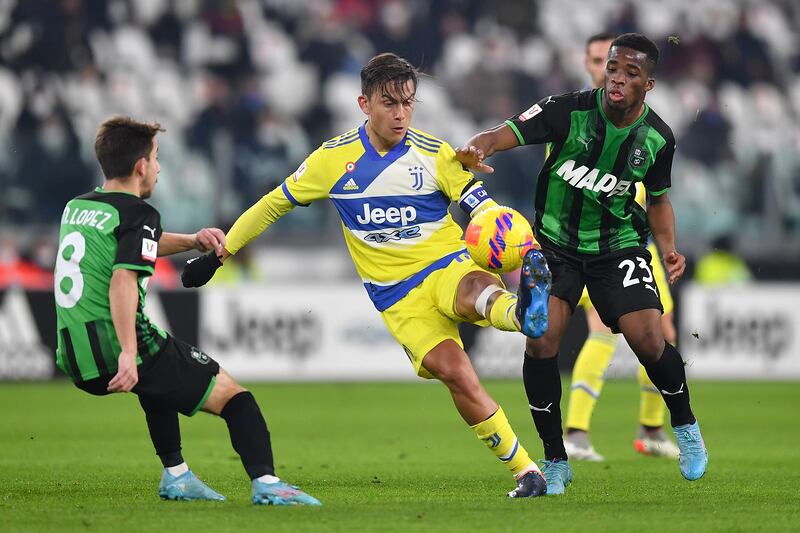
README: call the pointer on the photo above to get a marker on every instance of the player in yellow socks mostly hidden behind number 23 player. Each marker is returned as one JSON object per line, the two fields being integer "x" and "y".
{"x": 588, "y": 374}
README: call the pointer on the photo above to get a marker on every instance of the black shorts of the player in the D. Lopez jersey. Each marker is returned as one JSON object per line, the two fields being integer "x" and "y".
{"x": 179, "y": 378}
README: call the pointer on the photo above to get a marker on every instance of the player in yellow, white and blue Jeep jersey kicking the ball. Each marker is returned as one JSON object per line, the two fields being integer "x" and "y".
{"x": 392, "y": 186}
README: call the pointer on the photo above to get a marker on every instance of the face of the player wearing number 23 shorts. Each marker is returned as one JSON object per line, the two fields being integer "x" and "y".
{"x": 627, "y": 78}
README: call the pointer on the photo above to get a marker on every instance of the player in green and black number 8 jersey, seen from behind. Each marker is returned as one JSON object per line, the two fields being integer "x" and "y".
{"x": 109, "y": 241}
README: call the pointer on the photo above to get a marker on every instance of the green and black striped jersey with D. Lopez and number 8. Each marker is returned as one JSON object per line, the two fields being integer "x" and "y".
{"x": 102, "y": 231}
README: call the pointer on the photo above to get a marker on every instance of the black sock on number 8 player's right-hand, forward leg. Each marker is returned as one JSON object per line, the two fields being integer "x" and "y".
{"x": 249, "y": 434}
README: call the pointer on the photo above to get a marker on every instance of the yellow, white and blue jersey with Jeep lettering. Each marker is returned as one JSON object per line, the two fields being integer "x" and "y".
{"x": 393, "y": 206}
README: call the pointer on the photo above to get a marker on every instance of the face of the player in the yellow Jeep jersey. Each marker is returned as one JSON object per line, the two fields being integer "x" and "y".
{"x": 389, "y": 112}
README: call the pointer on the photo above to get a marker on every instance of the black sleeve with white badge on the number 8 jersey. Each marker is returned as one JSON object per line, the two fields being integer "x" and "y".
{"x": 137, "y": 235}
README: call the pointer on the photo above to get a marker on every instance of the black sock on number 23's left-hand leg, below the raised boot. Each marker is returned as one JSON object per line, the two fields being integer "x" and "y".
{"x": 543, "y": 387}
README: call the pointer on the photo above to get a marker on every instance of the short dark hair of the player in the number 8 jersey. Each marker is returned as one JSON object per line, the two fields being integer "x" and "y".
{"x": 120, "y": 142}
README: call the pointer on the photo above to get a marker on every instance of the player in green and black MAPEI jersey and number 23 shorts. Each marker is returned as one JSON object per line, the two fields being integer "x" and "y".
{"x": 594, "y": 233}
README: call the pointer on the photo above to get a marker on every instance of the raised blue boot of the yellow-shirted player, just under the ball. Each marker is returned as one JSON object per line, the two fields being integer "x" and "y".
{"x": 533, "y": 294}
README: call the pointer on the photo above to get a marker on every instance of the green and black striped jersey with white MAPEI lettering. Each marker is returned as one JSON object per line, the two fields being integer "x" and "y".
{"x": 585, "y": 193}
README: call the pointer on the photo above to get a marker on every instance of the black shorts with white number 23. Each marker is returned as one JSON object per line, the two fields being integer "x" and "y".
{"x": 618, "y": 283}
